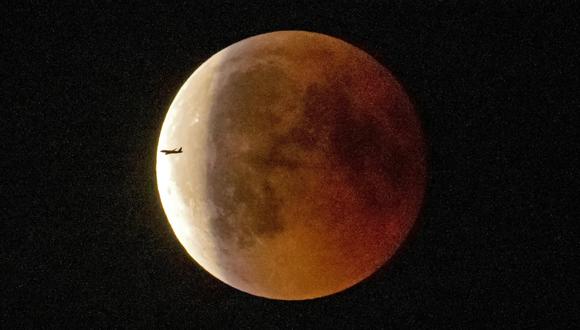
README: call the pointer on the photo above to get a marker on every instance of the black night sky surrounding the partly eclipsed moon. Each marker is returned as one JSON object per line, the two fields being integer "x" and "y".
{"x": 84, "y": 92}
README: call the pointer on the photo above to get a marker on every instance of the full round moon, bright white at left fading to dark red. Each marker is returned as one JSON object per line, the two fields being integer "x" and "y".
{"x": 303, "y": 165}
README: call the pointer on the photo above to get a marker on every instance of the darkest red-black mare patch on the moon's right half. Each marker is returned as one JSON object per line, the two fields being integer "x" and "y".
{"x": 358, "y": 145}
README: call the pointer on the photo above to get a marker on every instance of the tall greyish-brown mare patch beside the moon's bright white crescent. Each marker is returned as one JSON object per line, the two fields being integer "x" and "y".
{"x": 243, "y": 134}
